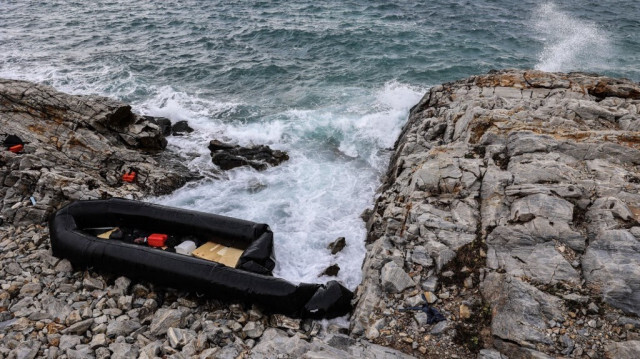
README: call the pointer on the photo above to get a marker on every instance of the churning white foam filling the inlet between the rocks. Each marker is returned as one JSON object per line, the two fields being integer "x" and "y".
{"x": 337, "y": 156}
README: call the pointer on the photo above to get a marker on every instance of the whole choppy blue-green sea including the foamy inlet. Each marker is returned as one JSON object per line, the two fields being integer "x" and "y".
{"x": 331, "y": 82}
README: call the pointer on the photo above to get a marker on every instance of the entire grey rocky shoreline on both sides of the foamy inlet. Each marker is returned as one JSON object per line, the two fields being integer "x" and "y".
{"x": 511, "y": 203}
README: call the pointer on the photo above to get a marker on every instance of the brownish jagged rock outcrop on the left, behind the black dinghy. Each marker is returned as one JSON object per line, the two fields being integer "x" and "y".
{"x": 77, "y": 147}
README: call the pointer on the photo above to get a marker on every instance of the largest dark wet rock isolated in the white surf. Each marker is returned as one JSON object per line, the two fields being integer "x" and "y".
{"x": 227, "y": 156}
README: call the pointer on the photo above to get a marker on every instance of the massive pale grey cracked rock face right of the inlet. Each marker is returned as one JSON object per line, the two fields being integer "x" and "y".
{"x": 531, "y": 180}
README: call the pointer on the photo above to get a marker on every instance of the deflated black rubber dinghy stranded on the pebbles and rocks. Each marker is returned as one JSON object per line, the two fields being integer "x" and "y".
{"x": 249, "y": 282}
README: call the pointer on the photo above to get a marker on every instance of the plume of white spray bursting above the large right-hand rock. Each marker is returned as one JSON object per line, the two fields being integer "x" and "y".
{"x": 570, "y": 43}
